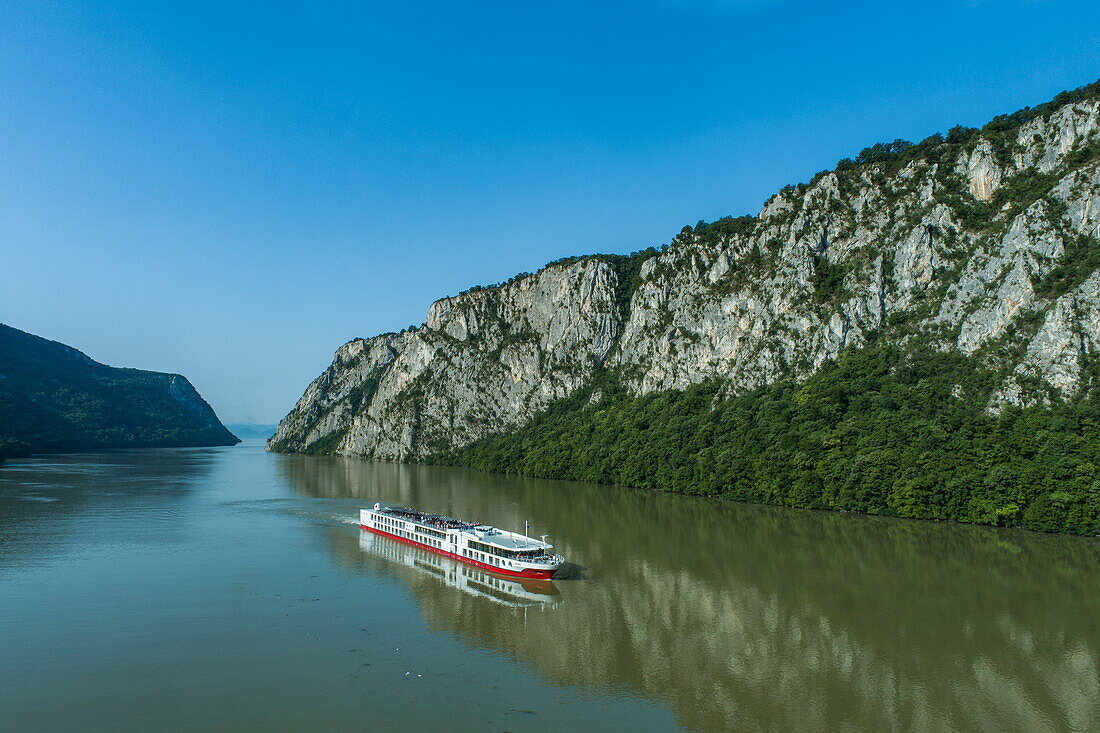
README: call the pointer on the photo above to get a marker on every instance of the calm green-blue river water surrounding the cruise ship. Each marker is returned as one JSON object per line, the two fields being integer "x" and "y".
{"x": 229, "y": 589}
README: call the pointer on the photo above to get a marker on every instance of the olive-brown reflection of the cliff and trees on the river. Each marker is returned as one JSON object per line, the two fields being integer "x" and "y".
{"x": 756, "y": 618}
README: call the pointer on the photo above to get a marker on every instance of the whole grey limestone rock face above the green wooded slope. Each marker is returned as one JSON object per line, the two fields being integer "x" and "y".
{"x": 983, "y": 240}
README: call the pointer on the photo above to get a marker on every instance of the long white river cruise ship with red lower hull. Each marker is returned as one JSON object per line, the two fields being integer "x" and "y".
{"x": 480, "y": 545}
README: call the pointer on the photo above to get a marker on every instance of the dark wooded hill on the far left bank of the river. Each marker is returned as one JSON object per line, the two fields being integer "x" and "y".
{"x": 54, "y": 399}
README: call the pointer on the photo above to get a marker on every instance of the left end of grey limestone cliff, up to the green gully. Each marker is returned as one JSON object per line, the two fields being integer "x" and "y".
{"x": 482, "y": 363}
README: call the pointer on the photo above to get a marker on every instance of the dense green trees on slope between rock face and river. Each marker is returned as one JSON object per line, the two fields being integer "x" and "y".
{"x": 881, "y": 431}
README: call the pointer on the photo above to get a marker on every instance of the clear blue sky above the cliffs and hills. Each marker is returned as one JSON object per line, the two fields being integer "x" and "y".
{"x": 232, "y": 191}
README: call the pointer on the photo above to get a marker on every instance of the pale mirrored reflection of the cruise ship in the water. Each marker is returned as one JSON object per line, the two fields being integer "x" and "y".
{"x": 518, "y": 594}
